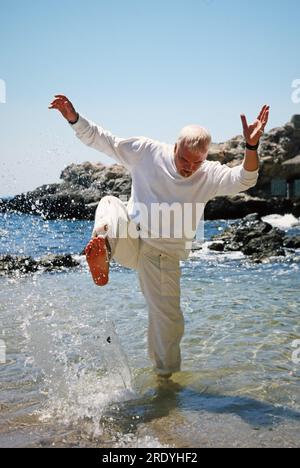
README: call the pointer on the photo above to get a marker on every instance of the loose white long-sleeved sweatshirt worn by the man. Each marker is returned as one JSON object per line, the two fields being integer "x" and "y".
{"x": 155, "y": 181}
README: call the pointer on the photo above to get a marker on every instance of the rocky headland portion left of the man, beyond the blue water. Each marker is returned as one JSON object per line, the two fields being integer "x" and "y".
{"x": 77, "y": 196}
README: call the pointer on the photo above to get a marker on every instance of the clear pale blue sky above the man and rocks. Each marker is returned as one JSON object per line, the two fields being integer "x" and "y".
{"x": 137, "y": 68}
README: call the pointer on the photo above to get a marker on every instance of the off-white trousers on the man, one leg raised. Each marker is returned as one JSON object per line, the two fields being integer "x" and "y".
{"x": 159, "y": 277}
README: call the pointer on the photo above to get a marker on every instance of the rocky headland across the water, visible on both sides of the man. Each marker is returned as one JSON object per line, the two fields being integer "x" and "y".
{"x": 83, "y": 185}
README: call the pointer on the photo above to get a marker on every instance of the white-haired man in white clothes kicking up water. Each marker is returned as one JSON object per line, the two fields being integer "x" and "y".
{"x": 162, "y": 175}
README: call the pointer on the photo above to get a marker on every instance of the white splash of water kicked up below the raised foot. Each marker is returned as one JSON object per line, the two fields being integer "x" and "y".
{"x": 83, "y": 373}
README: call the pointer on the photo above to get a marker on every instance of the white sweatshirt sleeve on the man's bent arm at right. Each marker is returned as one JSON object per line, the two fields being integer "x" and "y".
{"x": 231, "y": 181}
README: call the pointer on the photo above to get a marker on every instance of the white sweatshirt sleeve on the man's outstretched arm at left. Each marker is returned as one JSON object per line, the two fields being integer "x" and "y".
{"x": 125, "y": 151}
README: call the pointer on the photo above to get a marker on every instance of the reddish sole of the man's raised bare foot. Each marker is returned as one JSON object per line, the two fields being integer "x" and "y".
{"x": 97, "y": 258}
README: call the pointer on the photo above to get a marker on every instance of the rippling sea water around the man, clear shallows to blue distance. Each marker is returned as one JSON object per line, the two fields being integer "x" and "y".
{"x": 66, "y": 384}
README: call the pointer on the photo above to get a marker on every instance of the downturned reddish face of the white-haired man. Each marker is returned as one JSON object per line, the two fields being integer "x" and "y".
{"x": 186, "y": 161}
